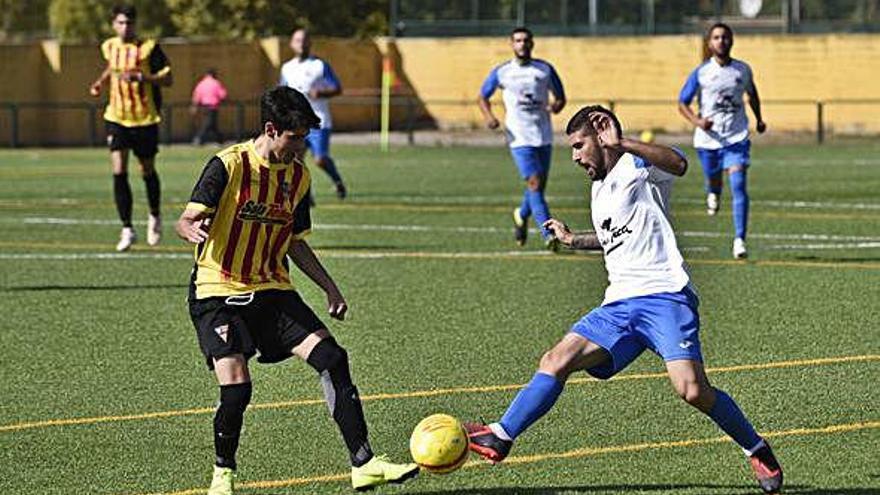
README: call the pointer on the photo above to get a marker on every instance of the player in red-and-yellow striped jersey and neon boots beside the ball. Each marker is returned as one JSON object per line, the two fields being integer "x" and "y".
{"x": 247, "y": 216}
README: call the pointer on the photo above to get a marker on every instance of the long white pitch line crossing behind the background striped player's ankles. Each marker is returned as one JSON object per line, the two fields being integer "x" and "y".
{"x": 466, "y": 230}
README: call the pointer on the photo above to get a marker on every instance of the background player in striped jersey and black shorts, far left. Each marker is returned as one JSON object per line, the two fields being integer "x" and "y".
{"x": 136, "y": 68}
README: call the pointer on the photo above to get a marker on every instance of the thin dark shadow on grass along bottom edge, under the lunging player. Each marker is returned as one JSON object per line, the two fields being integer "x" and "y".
{"x": 690, "y": 488}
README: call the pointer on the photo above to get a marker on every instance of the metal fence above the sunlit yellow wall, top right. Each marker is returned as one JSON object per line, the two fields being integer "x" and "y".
{"x": 437, "y": 18}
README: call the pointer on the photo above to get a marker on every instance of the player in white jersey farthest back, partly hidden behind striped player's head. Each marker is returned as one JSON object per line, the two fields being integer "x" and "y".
{"x": 315, "y": 78}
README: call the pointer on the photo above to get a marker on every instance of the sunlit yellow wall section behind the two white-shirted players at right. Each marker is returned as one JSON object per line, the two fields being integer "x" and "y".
{"x": 597, "y": 69}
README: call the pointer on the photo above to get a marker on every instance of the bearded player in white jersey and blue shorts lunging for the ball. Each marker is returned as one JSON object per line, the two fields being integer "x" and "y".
{"x": 649, "y": 303}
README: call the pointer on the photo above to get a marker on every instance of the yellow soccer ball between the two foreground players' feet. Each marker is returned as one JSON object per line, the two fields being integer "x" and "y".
{"x": 439, "y": 444}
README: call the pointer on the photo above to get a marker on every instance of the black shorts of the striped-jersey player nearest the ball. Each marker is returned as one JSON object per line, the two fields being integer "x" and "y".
{"x": 273, "y": 323}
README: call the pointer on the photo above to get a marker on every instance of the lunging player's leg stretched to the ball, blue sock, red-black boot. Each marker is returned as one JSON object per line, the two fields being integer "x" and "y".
{"x": 494, "y": 441}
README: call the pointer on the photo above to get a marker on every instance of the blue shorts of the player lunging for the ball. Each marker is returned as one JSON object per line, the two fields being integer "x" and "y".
{"x": 666, "y": 323}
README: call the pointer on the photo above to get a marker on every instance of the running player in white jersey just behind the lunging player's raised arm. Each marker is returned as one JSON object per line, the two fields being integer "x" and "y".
{"x": 526, "y": 85}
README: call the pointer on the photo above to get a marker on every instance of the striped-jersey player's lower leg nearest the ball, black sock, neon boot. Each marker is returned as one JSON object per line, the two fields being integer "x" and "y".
{"x": 368, "y": 471}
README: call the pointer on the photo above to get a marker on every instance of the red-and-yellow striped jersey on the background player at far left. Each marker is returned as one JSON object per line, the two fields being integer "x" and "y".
{"x": 134, "y": 103}
